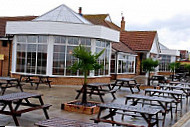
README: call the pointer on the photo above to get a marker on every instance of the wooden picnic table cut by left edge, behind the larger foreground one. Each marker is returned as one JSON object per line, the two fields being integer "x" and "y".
{"x": 8, "y": 82}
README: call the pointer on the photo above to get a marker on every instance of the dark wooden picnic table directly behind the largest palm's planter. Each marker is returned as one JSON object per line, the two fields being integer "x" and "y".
{"x": 99, "y": 89}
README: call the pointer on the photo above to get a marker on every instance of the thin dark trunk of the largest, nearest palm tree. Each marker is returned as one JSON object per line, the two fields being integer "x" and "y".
{"x": 84, "y": 96}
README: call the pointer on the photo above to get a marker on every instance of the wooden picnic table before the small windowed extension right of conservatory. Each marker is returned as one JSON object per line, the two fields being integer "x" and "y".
{"x": 126, "y": 82}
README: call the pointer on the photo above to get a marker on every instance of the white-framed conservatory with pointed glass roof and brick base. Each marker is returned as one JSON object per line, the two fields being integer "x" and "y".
{"x": 44, "y": 45}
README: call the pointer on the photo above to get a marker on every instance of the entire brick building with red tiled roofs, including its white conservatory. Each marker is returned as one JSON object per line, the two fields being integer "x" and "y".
{"x": 43, "y": 45}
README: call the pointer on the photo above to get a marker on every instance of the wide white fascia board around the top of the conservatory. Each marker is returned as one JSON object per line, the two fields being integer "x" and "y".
{"x": 62, "y": 28}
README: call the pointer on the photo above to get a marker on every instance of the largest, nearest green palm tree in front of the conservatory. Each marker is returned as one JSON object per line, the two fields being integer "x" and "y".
{"x": 86, "y": 62}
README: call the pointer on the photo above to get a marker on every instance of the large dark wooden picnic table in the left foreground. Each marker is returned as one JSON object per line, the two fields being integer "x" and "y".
{"x": 18, "y": 99}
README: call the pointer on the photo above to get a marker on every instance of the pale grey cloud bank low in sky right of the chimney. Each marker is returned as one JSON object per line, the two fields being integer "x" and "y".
{"x": 170, "y": 31}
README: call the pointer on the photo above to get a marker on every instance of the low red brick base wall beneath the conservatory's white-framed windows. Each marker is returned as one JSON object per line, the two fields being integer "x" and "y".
{"x": 73, "y": 80}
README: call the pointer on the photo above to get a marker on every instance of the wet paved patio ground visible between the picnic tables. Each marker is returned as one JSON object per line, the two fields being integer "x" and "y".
{"x": 64, "y": 93}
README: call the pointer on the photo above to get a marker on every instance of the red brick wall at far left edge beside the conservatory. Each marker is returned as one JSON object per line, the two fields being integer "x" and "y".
{"x": 5, "y": 51}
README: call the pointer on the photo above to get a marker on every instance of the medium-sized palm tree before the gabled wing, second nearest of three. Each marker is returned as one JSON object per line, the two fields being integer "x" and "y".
{"x": 148, "y": 66}
